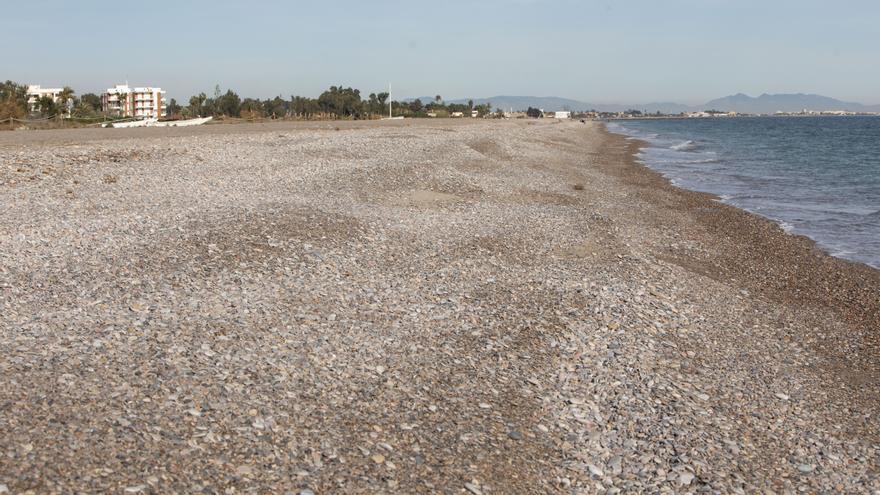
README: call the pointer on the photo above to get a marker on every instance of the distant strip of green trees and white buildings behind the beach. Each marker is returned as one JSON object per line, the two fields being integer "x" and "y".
{"x": 33, "y": 105}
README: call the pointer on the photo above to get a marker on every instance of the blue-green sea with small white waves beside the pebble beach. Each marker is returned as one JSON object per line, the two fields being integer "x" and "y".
{"x": 816, "y": 176}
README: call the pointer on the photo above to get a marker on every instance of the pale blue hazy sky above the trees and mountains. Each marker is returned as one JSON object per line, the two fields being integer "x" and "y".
{"x": 598, "y": 51}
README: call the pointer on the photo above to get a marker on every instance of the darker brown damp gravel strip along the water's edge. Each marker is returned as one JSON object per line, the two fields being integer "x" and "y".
{"x": 758, "y": 253}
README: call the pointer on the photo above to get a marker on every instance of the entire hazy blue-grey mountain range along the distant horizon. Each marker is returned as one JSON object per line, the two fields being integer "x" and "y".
{"x": 764, "y": 104}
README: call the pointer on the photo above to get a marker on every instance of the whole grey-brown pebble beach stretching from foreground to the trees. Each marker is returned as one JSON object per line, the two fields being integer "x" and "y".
{"x": 413, "y": 307}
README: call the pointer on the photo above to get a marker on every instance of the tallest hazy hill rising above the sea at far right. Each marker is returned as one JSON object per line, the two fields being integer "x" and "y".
{"x": 785, "y": 103}
